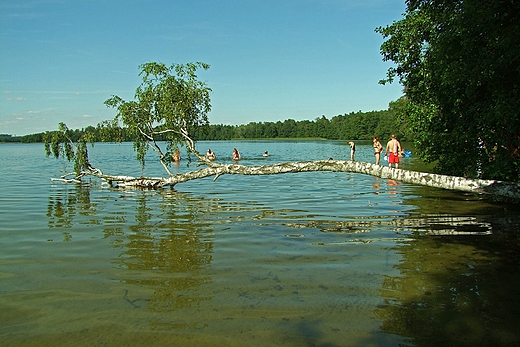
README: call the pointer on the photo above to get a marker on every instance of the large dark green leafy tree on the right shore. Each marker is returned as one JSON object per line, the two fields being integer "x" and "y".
{"x": 459, "y": 61}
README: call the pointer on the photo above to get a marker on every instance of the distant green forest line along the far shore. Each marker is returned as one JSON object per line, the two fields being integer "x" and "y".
{"x": 353, "y": 126}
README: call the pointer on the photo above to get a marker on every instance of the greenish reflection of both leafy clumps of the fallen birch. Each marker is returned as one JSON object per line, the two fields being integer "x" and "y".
{"x": 164, "y": 237}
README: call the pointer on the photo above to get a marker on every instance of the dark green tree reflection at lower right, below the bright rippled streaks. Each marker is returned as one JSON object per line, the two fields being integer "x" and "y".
{"x": 452, "y": 293}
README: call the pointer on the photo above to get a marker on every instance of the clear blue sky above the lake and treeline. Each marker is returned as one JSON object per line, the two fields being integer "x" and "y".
{"x": 270, "y": 60}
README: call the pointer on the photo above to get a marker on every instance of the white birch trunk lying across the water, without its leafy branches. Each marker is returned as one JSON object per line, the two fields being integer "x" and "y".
{"x": 501, "y": 189}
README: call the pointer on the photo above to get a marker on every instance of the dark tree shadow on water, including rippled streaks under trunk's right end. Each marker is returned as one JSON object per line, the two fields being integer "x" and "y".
{"x": 458, "y": 282}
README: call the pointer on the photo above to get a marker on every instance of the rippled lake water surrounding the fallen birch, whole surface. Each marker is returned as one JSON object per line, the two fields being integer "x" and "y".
{"x": 307, "y": 259}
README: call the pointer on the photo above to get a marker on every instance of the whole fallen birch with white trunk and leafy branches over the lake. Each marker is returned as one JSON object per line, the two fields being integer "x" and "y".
{"x": 171, "y": 101}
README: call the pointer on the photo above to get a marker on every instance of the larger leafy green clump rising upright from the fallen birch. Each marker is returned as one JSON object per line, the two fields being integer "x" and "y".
{"x": 170, "y": 103}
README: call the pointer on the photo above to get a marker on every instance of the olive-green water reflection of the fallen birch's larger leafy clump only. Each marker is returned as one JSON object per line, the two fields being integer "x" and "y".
{"x": 175, "y": 246}
